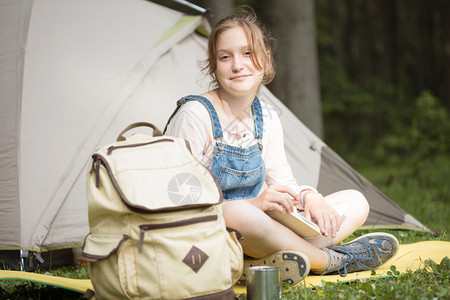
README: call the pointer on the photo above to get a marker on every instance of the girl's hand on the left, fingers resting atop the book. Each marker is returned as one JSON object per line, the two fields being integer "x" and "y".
{"x": 276, "y": 197}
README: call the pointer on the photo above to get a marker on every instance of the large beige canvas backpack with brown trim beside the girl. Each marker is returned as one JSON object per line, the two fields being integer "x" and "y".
{"x": 156, "y": 225}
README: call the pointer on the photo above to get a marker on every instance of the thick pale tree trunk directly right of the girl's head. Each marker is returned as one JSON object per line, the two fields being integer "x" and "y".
{"x": 292, "y": 23}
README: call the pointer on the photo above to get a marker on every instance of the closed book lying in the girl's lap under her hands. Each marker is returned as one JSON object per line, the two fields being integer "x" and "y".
{"x": 297, "y": 222}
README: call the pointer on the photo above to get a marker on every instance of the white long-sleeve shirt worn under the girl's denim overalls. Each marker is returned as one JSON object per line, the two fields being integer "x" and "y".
{"x": 193, "y": 123}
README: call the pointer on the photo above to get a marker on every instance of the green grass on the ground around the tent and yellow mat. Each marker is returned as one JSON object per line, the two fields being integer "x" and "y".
{"x": 422, "y": 190}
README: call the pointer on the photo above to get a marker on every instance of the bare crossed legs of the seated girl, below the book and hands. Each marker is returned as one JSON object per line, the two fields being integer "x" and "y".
{"x": 264, "y": 236}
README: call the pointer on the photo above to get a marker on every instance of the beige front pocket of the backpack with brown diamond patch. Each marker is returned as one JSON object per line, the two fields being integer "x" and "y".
{"x": 182, "y": 253}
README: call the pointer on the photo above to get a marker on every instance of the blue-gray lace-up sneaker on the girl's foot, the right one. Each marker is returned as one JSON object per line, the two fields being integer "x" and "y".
{"x": 367, "y": 252}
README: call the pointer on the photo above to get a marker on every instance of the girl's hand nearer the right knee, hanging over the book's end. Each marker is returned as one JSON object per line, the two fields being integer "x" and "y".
{"x": 326, "y": 216}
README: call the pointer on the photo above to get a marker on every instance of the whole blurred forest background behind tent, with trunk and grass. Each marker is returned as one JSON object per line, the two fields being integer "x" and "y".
{"x": 372, "y": 79}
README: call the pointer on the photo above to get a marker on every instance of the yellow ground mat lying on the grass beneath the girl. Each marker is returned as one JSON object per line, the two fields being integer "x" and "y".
{"x": 409, "y": 257}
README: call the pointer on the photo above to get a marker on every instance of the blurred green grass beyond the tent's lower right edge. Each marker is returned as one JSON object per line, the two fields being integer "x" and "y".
{"x": 423, "y": 192}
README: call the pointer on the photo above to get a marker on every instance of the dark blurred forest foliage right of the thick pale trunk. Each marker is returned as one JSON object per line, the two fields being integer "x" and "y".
{"x": 378, "y": 98}
